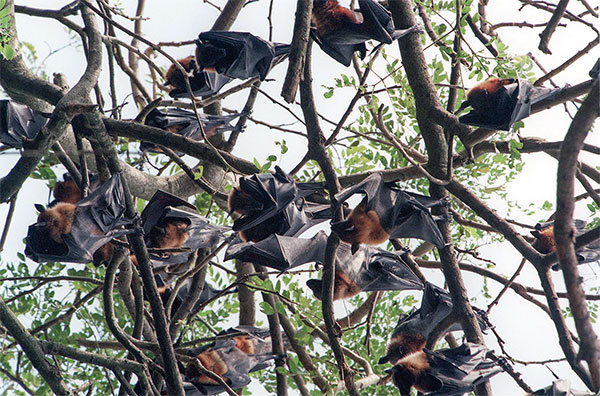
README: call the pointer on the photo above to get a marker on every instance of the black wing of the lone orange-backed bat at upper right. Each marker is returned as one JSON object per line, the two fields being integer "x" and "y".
{"x": 512, "y": 103}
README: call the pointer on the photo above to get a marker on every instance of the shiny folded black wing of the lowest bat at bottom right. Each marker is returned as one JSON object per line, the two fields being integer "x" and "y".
{"x": 460, "y": 369}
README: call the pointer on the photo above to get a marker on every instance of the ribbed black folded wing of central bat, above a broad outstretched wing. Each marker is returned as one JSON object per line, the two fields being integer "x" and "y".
{"x": 275, "y": 191}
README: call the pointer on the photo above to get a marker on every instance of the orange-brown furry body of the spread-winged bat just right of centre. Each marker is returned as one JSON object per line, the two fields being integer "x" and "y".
{"x": 365, "y": 225}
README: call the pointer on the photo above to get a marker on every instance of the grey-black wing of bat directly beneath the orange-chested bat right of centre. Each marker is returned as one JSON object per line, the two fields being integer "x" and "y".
{"x": 387, "y": 271}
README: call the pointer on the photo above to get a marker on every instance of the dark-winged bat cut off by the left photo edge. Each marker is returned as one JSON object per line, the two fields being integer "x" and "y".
{"x": 19, "y": 123}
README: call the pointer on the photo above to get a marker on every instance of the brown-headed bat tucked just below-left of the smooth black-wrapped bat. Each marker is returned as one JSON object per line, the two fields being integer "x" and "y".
{"x": 202, "y": 83}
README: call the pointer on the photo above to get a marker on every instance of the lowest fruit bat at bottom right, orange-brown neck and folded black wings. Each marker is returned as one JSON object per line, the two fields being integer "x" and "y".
{"x": 445, "y": 372}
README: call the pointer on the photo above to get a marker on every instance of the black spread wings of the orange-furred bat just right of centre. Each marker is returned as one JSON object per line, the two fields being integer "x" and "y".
{"x": 401, "y": 214}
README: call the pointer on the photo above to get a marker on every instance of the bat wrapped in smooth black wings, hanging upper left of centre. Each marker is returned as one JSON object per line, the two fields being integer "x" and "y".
{"x": 237, "y": 54}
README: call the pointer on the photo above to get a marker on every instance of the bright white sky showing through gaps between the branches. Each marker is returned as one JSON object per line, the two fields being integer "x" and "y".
{"x": 529, "y": 333}
